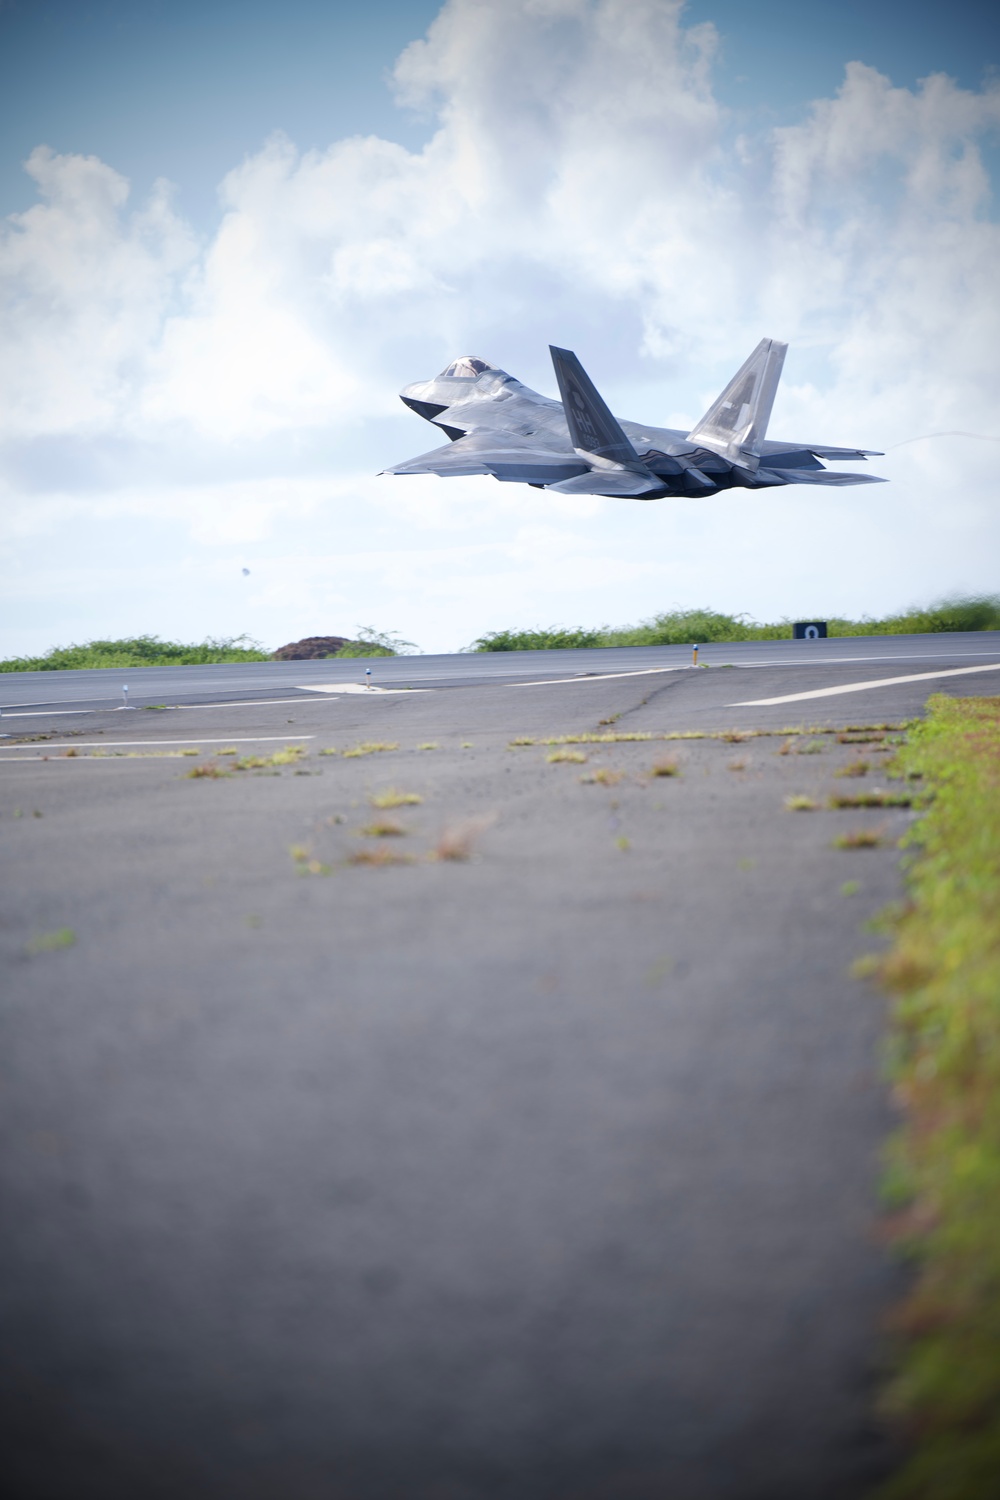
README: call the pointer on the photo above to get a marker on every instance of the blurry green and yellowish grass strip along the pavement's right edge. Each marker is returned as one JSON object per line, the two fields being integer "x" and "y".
{"x": 944, "y": 1168}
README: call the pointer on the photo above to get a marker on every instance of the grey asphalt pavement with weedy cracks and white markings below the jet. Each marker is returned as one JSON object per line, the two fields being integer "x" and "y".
{"x": 537, "y": 1162}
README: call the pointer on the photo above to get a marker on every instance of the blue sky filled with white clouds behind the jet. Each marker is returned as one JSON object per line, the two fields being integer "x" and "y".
{"x": 233, "y": 232}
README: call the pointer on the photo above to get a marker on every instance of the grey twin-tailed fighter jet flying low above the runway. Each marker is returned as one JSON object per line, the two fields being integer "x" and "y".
{"x": 578, "y": 448}
